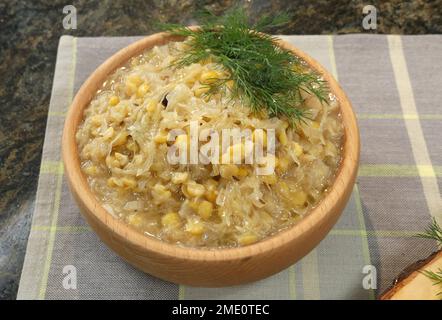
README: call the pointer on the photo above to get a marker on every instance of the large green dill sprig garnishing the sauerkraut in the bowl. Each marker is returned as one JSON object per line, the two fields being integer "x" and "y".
{"x": 265, "y": 76}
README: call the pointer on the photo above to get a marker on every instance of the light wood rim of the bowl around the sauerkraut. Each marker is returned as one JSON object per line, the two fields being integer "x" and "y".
{"x": 312, "y": 221}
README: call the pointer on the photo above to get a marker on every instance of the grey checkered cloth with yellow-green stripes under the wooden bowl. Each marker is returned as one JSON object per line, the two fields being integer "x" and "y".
{"x": 394, "y": 83}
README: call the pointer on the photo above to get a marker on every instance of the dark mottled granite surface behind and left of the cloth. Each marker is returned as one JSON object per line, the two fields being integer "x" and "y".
{"x": 29, "y": 35}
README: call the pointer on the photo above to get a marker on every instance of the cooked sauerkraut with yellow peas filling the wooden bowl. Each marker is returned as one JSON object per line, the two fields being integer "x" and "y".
{"x": 124, "y": 141}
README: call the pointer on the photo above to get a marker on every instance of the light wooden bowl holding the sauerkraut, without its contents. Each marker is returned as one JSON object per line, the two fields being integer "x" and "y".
{"x": 208, "y": 267}
